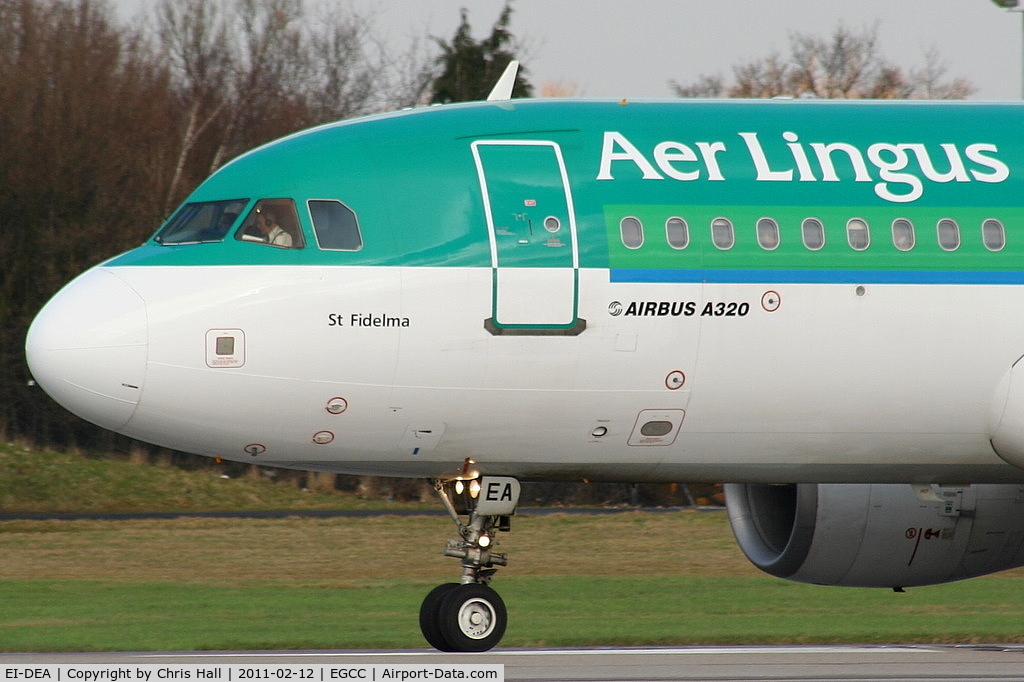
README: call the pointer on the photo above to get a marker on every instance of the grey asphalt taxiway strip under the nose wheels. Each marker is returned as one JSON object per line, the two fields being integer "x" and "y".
{"x": 601, "y": 665}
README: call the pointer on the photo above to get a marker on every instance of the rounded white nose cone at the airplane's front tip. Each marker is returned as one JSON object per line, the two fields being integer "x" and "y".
{"x": 88, "y": 349}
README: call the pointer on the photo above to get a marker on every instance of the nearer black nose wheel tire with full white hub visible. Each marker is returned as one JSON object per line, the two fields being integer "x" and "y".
{"x": 473, "y": 618}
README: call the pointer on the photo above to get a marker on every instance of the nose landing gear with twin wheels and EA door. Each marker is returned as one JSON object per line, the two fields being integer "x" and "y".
{"x": 471, "y": 616}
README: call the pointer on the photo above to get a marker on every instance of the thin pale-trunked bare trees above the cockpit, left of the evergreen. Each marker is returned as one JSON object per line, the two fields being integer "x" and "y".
{"x": 249, "y": 71}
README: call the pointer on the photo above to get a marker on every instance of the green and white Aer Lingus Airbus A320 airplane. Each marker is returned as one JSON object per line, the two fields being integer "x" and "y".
{"x": 819, "y": 303}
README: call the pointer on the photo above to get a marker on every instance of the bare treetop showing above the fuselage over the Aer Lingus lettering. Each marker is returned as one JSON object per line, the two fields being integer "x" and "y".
{"x": 846, "y": 66}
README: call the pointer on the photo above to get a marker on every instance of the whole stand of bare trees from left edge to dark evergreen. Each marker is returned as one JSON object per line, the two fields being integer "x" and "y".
{"x": 106, "y": 127}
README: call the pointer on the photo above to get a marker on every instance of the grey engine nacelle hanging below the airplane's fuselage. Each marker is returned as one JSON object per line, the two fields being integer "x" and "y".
{"x": 878, "y": 535}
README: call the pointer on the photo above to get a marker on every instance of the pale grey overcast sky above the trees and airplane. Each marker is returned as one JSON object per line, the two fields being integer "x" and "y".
{"x": 620, "y": 49}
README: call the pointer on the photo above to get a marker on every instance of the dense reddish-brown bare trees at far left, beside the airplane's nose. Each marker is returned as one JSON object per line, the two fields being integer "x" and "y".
{"x": 82, "y": 115}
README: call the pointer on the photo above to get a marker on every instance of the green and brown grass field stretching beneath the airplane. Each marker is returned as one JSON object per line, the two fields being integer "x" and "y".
{"x": 634, "y": 579}
